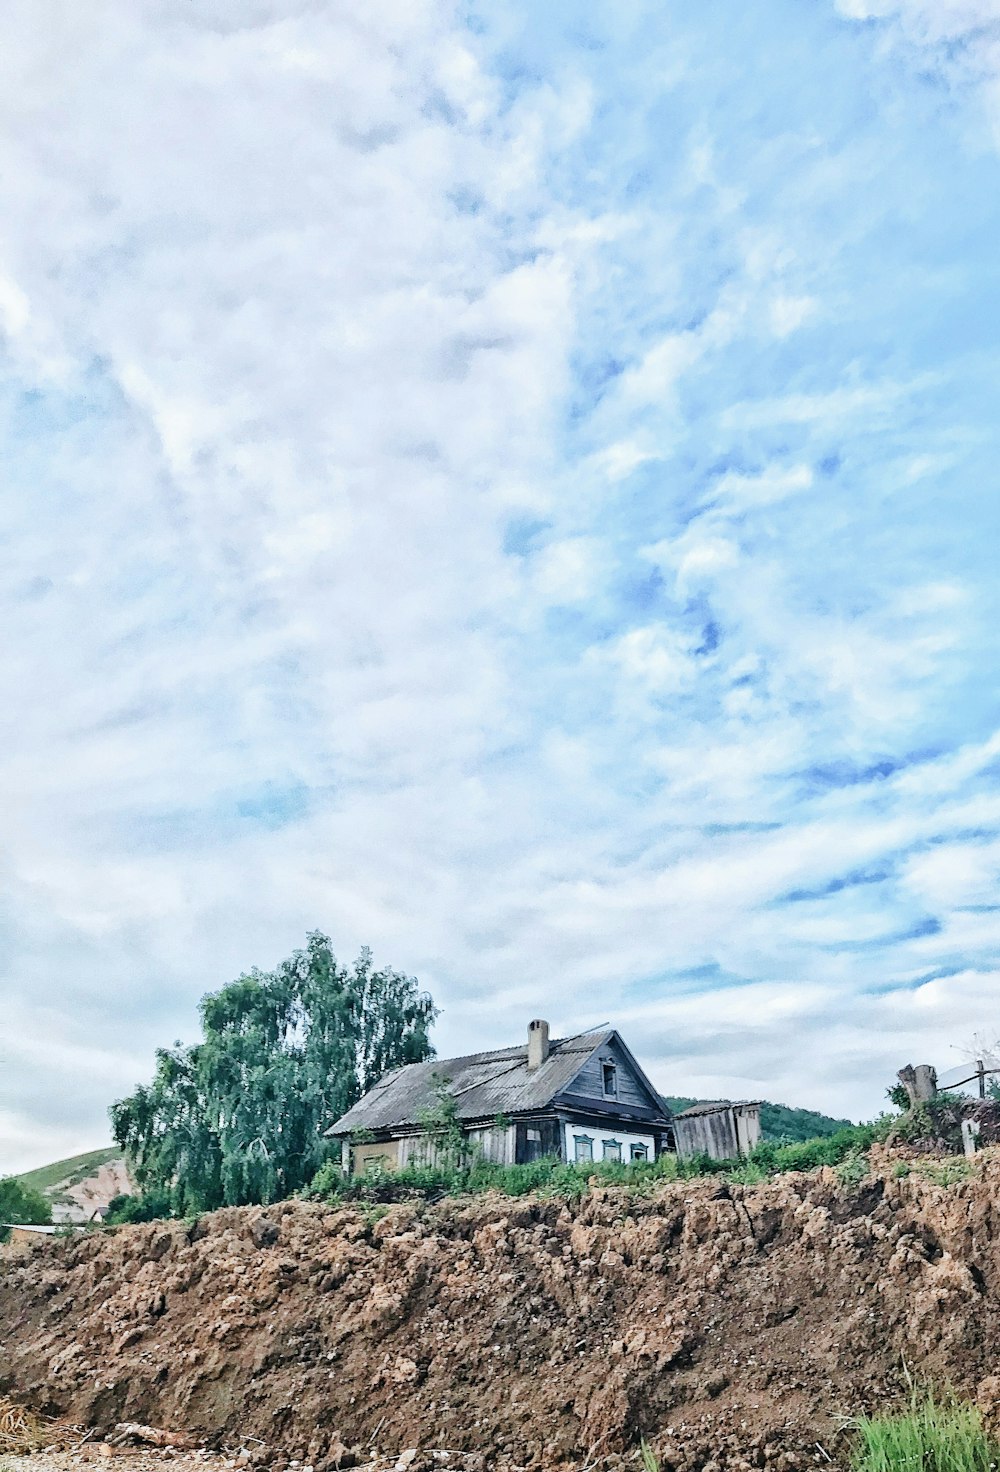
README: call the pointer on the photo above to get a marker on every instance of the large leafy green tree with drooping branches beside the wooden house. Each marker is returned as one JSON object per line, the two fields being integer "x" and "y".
{"x": 242, "y": 1115}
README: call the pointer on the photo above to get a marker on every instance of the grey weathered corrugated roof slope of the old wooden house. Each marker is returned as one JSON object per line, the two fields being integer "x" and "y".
{"x": 482, "y": 1084}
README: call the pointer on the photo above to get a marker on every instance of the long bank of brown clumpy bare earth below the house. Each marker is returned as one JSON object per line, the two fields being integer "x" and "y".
{"x": 731, "y": 1327}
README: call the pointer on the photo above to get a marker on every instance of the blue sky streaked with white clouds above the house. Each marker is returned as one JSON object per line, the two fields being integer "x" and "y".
{"x": 513, "y": 486}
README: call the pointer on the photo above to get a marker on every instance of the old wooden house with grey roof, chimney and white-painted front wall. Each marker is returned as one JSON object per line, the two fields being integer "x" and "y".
{"x": 580, "y": 1099}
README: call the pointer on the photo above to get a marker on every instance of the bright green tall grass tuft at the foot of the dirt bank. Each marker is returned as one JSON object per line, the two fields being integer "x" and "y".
{"x": 936, "y": 1434}
